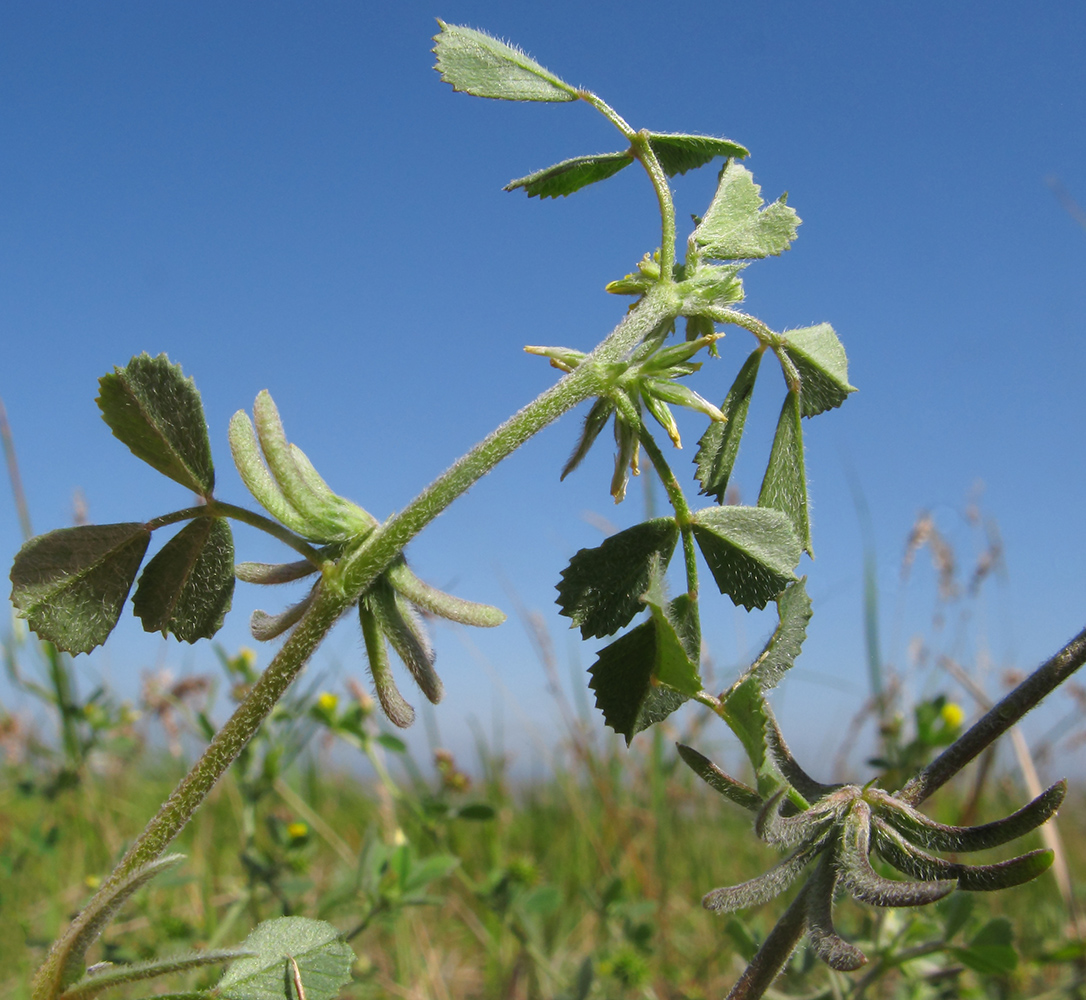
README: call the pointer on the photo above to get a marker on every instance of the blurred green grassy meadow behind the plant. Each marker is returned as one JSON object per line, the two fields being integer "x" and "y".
{"x": 607, "y": 860}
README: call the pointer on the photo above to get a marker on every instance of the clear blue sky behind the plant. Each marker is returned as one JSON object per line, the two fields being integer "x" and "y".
{"x": 285, "y": 196}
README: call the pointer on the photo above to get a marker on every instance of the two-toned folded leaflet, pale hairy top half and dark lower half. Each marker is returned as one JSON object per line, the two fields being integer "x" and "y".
{"x": 752, "y": 552}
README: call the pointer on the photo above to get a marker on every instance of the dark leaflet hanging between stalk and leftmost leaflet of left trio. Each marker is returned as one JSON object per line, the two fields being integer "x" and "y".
{"x": 187, "y": 588}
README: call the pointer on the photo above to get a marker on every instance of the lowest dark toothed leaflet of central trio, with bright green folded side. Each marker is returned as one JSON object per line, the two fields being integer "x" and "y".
{"x": 629, "y": 692}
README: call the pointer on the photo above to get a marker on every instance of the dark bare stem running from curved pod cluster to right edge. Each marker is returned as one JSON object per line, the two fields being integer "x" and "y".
{"x": 994, "y": 724}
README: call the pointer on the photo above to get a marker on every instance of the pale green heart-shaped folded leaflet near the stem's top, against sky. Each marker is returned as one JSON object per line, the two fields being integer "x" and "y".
{"x": 737, "y": 227}
